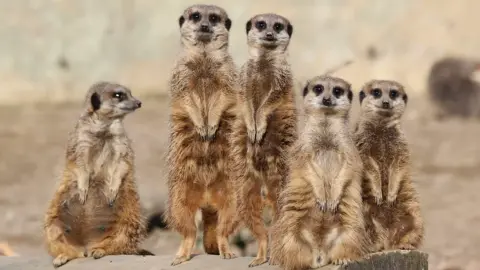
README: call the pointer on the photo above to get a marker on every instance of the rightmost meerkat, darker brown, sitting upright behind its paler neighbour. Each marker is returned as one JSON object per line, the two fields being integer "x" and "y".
{"x": 391, "y": 203}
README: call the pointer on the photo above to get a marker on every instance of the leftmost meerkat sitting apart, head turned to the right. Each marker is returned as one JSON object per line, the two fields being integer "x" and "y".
{"x": 96, "y": 209}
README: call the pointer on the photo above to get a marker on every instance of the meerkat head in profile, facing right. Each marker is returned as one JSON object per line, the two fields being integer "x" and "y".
{"x": 110, "y": 100}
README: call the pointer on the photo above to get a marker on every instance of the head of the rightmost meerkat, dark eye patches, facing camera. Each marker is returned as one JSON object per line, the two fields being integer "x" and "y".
{"x": 383, "y": 97}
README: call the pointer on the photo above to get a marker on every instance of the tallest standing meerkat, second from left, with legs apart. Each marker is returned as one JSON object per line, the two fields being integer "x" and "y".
{"x": 202, "y": 99}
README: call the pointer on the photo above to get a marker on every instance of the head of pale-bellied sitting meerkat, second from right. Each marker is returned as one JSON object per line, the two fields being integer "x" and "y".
{"x": 327, "y": 94}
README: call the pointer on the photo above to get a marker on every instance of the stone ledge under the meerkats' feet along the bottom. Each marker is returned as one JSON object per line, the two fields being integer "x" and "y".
{"x": 395, "y": 260}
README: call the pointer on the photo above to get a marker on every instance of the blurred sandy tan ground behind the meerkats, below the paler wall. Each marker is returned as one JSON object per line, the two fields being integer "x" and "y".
{"x": 446, "y": 159}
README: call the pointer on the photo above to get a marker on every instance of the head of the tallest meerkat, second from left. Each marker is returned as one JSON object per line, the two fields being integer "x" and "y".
{"x": 204, "y": 24}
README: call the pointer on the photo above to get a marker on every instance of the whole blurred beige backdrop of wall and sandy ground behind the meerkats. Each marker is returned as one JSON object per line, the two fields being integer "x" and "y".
{"x": 51, "y": 51}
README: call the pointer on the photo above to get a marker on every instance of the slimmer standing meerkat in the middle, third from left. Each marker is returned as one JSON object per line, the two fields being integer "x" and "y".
{"x": 266, "y": 123}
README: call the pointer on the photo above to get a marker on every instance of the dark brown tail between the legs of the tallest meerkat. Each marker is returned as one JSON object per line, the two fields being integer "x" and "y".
{"x": 210, "y": 219}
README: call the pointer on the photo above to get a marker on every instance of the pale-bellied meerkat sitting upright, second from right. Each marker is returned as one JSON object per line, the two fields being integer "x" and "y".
{"x": 321, "y": 204}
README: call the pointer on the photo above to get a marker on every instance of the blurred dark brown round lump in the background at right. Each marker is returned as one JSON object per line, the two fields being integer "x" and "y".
{"x": 452, "y": 89}
